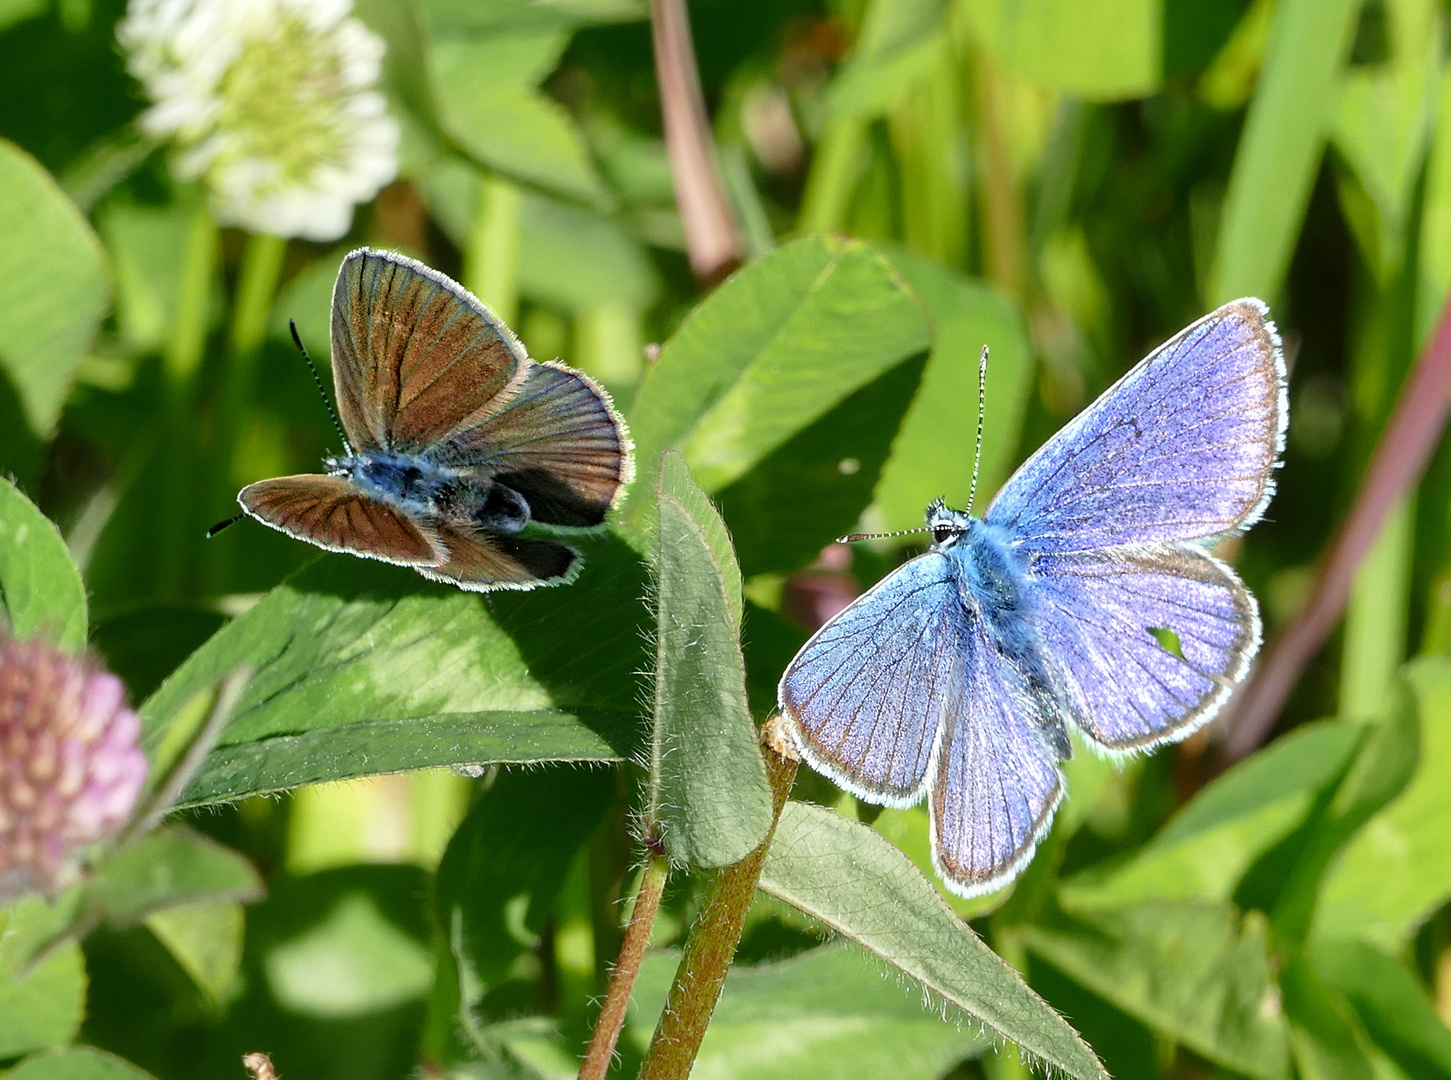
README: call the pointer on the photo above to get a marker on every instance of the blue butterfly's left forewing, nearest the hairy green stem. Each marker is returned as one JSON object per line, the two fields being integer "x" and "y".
{"x": 866, "y": 697}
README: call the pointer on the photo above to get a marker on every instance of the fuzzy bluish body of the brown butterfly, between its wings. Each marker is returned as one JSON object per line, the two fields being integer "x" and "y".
{"x": 427, "y": 490}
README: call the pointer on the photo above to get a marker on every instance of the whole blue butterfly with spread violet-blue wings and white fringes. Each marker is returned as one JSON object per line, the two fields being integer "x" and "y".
{"x": 961, "y": 673}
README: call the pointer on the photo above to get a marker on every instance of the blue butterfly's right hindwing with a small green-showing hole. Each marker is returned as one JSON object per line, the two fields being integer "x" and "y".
{"x": 1128, "y": 689}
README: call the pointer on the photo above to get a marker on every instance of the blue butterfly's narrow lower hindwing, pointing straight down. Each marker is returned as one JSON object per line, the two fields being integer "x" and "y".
{"x": 996, "y": 782}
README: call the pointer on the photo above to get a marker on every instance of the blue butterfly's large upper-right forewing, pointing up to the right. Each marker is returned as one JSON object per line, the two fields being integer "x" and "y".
{"x": 1183, "y": 448}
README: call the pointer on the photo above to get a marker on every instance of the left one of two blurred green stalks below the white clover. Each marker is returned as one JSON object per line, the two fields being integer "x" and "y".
{"x": 182, "y": 361}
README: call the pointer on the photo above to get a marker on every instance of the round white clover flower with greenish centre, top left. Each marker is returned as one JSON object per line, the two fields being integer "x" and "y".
{"x": 272, "y": 105}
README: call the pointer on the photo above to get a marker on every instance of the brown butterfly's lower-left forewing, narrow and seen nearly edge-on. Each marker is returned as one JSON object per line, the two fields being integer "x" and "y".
{"x": 330, "y": 513}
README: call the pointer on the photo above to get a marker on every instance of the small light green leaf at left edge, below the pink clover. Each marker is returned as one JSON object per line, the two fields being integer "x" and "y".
{"x": 41, "y": 1005}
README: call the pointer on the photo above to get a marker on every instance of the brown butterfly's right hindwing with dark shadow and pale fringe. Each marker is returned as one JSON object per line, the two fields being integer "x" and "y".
{"x": 558, "y": 442}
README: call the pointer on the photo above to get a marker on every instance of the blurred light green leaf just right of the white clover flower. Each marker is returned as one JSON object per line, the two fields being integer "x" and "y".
{"x": 507, "y": 126}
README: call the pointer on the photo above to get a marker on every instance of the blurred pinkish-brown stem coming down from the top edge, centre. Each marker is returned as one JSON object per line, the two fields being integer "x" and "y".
{"x": 712, "y": 236}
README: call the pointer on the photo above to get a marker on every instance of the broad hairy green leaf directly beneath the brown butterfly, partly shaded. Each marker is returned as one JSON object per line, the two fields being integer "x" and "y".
{"x": 363, "y": 668}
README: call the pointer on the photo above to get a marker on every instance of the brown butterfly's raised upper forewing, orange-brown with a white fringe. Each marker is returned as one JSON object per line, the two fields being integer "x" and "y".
{"x": 414, "y": 353}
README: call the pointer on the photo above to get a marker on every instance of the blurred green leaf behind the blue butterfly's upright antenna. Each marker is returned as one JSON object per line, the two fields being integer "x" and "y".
{"x": 932, "y": 457}
